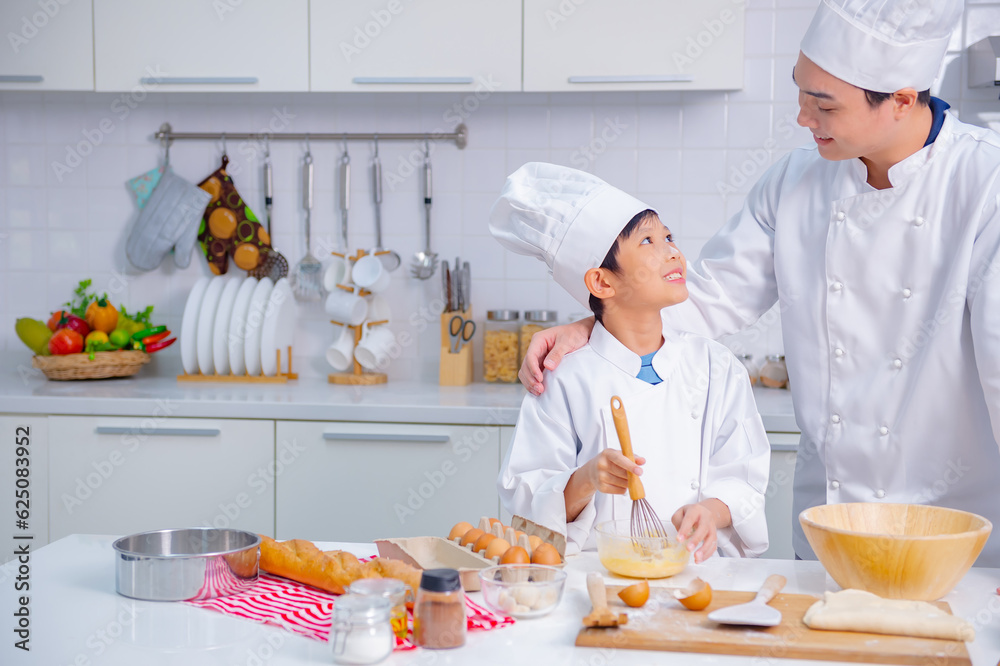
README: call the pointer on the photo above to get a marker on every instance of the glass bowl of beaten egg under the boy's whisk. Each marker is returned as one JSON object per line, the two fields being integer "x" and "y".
{"x": 621, "y": 554}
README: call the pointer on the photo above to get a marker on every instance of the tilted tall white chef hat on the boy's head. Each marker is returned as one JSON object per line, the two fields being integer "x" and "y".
{"x": 567, "y": 218}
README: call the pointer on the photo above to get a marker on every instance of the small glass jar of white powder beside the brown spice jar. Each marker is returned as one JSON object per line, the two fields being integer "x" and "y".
{"x": 361, "y": 632}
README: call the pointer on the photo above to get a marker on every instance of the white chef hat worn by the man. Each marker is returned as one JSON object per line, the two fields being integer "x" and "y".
{"x": 882, "y": 45}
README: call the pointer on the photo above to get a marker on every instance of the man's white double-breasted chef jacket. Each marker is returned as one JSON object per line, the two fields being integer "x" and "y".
{"x": 890, "y": 314}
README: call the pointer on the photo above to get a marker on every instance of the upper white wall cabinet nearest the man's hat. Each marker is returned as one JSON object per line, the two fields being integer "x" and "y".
{"x": 633, "y": 45}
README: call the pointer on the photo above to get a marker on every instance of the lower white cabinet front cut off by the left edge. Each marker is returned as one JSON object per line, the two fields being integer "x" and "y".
{"x": 24, "y": 473}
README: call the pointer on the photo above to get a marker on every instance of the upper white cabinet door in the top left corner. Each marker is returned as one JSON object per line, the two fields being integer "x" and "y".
{"x": 49, "y": 45}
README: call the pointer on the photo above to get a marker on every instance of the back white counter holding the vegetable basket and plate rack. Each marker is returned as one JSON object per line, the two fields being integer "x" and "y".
{"x": 24, "y": 390}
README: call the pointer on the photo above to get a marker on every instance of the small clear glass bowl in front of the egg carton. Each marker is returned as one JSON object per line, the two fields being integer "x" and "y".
{"x": 522, "y": 591}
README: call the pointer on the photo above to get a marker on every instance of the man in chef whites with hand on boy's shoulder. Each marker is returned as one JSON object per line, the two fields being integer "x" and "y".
{"x": 881, "y": 244}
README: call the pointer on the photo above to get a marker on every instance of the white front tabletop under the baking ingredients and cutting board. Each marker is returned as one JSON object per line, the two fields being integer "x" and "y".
{"x": 78, "y": 618}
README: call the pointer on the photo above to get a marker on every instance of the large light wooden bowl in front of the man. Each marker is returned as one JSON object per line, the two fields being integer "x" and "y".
{"x": 897, "y": 551}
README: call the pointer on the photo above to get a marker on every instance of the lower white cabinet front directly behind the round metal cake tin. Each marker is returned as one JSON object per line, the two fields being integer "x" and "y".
{"x": 113, "y": 475}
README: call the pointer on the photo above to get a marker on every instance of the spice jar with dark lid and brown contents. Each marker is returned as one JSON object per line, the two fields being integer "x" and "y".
{"x": 439, "y": 611}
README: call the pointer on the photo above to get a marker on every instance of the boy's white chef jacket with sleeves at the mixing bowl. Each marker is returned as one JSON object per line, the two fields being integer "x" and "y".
{"x": 698, "y": 429}
